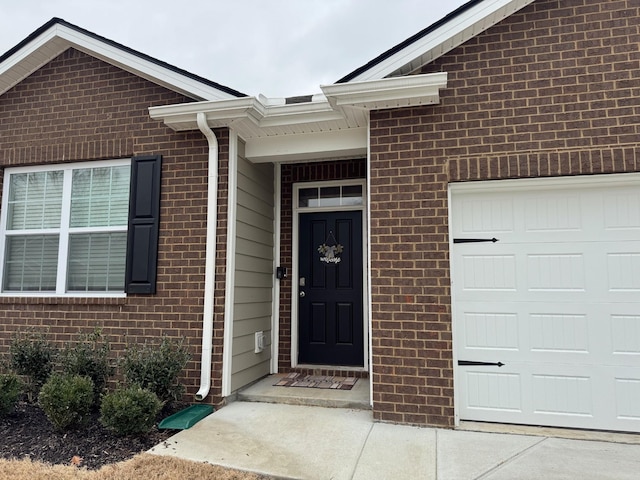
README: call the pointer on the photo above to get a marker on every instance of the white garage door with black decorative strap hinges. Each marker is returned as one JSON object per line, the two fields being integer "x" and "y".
{"x": 556, "y": 300}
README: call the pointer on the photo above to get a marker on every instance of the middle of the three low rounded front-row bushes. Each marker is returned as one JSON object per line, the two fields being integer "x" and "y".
{"x": 66, "y": 400}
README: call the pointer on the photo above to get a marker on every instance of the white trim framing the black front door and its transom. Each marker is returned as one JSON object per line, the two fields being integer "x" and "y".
{"x": 295, "y": 267}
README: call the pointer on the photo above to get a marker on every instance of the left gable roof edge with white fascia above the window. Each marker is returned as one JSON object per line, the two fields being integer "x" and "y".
{"x": 57, "y": 35}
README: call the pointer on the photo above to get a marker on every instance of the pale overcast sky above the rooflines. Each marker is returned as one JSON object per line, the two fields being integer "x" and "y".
{"x": 275, "y": 47}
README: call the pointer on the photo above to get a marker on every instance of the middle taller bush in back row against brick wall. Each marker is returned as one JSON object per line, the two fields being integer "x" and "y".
{"x": 89, "y": 357}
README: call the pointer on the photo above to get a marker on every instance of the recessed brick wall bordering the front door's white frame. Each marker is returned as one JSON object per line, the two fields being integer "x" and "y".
{"x": 294, "y": 173}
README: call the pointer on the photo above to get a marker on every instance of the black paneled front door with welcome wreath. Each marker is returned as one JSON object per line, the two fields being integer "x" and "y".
{"x": 330, "y": 284}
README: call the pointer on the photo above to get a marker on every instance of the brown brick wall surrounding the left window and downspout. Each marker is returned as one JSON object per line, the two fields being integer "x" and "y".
{"x": 78, "y": 108}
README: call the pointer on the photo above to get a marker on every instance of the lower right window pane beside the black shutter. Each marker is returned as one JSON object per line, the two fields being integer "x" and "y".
{"x": 96, "y": 262}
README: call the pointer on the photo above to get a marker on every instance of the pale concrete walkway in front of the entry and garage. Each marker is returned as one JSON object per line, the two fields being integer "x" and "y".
{"x": 309, "y": 442}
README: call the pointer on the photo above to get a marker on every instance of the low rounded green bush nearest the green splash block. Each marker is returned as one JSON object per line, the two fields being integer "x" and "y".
{"x": 131, "y": 410}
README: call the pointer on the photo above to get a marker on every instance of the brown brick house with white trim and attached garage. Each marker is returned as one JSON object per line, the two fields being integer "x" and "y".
{"x": 458, "y": 219}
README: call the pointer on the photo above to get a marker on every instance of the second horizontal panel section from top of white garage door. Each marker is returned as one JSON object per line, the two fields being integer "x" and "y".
{"x": 580, "y": 271}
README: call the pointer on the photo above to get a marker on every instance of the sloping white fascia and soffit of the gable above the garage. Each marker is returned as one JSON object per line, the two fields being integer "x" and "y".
{"x": 445, "y": 38}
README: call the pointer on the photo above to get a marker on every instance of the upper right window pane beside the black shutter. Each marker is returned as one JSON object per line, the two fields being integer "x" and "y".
{"x": 100, "y": 197}
